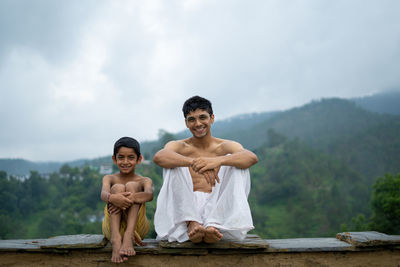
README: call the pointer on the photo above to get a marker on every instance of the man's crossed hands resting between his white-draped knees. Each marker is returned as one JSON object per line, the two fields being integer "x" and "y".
{"x": 208, "y": 167}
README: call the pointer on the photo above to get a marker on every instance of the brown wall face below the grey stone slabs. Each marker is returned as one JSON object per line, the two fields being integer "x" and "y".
{"x": 84, "y": 258}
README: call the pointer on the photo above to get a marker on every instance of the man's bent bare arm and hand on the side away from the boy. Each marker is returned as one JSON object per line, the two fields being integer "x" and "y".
{"x": 237, "y": 156}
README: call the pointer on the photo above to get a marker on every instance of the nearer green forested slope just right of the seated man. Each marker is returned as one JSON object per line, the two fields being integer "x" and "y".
{"x": 299, "y": 192}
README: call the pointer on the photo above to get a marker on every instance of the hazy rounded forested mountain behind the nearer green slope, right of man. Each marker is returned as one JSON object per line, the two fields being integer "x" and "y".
{"x": 368, "y": 142}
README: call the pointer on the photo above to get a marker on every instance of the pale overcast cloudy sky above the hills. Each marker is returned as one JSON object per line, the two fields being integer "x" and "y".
{"x": 77, "y": 75}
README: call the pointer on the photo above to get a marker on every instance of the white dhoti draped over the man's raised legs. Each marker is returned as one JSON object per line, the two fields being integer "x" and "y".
{"x": 225, "y": 208}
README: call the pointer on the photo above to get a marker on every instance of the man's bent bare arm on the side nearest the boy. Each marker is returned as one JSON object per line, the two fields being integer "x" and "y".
{"x": 169, "y": 157}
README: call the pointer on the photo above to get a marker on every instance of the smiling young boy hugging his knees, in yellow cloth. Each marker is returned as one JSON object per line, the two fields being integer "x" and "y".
{"x": 125, "y": 194}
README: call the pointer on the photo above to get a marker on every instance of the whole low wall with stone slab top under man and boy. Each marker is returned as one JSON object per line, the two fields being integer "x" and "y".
{"x": 358, "y": 249}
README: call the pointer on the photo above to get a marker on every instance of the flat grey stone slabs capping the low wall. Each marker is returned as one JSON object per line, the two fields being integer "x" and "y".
{"x": 353, "y": 241}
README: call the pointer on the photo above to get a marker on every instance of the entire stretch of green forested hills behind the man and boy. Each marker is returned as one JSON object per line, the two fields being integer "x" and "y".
{"x": 317, "y": 164}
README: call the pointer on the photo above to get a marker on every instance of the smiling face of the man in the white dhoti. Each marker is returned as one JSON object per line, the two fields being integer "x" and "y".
{"x": 199, "y": 122}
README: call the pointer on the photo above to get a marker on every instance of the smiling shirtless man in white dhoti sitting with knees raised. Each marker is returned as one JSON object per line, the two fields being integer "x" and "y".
{"x": 206, "y": 183}
